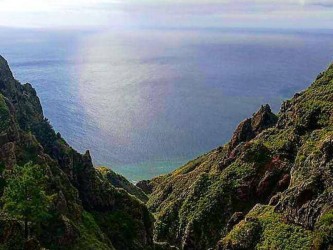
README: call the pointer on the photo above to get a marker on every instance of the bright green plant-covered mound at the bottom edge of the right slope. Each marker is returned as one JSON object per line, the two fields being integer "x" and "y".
{"x": 265, "y": 229}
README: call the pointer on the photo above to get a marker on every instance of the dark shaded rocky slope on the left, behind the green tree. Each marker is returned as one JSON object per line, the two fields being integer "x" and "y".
{"x": 89, "y": 211}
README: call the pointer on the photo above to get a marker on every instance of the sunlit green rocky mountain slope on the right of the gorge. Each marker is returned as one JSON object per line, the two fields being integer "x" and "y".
{"x": 270, "y": 187}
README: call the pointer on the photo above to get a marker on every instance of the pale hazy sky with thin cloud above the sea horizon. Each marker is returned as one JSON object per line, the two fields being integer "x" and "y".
{"x": 167, "y": 13}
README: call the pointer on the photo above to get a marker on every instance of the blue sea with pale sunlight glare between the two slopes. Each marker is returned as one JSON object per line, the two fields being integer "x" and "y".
{"x": 146, "y": 101}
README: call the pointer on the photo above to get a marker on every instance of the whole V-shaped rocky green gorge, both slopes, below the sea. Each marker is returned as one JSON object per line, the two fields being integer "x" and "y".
{"x": 269, "y": 187}
